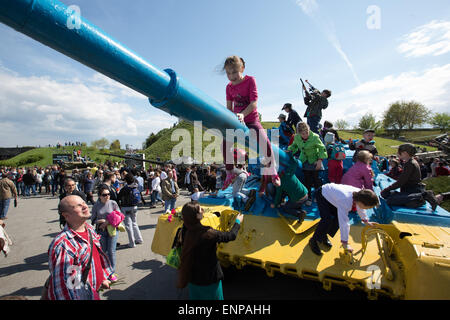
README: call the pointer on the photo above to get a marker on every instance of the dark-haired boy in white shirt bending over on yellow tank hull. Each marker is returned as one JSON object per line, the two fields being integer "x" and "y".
{"x": 335, "y": 201}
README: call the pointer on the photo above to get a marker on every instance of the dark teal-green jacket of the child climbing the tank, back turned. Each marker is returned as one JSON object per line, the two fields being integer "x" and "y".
{"x": 290, "y": 185}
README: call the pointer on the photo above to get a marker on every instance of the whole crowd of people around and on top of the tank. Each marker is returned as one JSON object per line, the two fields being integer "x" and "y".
{"x": 120, "y": 190}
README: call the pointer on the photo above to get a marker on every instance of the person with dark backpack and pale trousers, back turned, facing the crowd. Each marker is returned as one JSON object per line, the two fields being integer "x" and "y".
{"x": 129, "y": 197}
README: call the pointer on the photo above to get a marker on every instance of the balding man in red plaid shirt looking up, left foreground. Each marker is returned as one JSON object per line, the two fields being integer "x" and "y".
{"x": 69, "y": 255}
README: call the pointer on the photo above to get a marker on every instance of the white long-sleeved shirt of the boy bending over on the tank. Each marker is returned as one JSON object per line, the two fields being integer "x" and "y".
{"x": 341, "y": 196}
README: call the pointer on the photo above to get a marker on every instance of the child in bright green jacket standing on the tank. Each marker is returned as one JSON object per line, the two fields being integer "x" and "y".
{"x": 312, "y": 152}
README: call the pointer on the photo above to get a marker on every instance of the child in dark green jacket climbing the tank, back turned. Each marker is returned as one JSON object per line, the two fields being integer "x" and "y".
{"x": 295, "y": 190}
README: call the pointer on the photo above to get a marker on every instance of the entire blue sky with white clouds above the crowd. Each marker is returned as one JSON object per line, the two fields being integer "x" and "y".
{"x": 46, "y": 97}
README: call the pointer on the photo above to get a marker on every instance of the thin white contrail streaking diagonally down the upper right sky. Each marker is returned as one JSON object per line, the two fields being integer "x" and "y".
{"x": 310, "y": 8}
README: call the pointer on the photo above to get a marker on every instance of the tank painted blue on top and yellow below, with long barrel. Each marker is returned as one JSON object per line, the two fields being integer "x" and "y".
{"x": 405, "y": 257}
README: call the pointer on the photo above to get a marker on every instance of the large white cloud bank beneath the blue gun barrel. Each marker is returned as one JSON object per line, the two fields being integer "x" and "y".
{"x": 42, "y": 110}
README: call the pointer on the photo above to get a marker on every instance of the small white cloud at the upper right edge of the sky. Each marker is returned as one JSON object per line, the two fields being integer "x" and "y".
{"x": 430, "y": 39}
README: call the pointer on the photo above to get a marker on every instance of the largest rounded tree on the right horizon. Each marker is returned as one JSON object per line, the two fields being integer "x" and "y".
{"x": 403, "y": 114}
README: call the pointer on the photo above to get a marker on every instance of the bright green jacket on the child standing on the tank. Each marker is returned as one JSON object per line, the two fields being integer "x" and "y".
{"x": 311, "y": 150}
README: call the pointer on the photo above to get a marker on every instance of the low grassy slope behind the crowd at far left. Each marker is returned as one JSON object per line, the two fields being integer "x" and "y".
{"x": 42, "y": 157}
